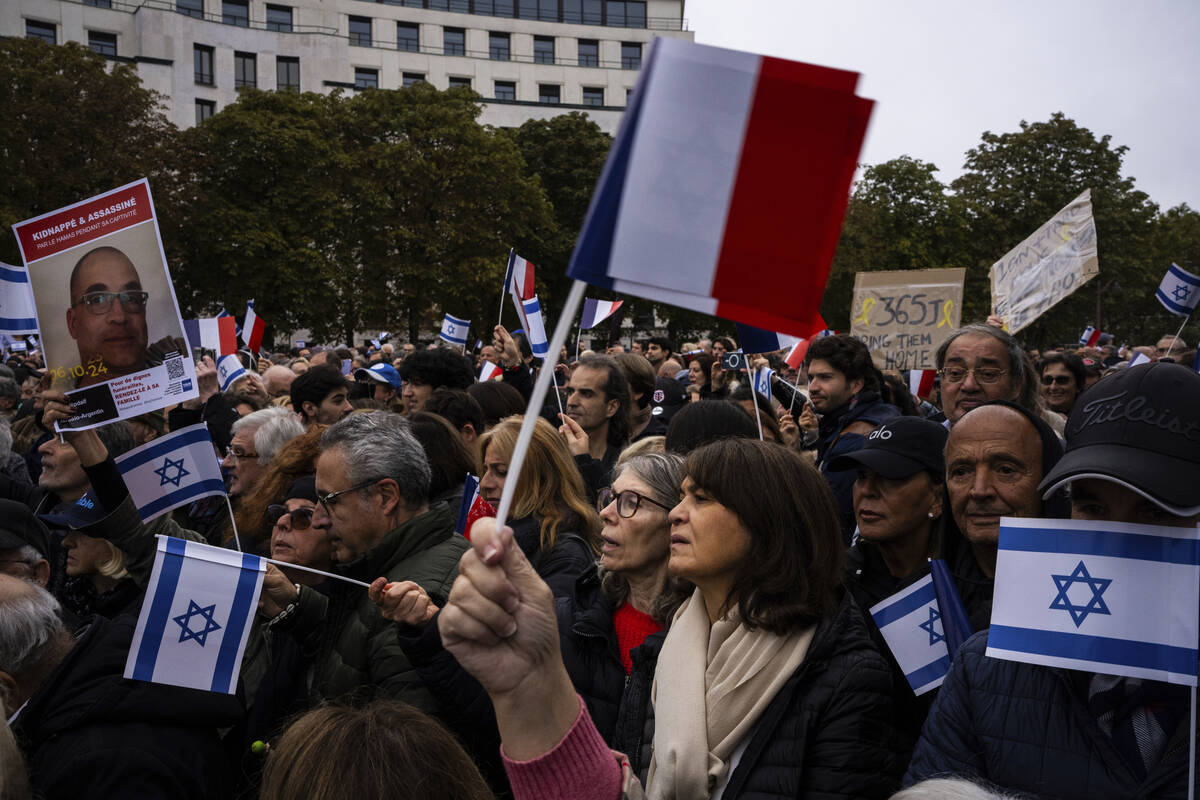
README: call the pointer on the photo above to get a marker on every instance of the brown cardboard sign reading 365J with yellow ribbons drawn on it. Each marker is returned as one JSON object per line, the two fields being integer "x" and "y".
{"x": 903, "y": 317}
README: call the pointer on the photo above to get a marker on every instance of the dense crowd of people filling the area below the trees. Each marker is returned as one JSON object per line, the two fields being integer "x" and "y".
{"x": 677, "y": 606}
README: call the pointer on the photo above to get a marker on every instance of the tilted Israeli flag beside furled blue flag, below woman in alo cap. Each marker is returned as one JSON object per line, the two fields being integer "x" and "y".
{"x": 911, "y": 624}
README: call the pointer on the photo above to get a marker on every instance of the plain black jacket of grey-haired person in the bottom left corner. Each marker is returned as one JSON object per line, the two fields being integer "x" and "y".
{"x": 89, "y": 733}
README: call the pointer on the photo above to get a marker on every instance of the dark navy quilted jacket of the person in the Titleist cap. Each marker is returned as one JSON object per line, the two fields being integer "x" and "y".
{"x": 1028, "y": 729}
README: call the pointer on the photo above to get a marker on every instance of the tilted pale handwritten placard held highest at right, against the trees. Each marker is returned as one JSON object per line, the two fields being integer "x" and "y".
{"x": 1058, "y": 260}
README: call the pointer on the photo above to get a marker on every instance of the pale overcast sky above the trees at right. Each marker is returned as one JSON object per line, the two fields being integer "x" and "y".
{"x": 943, "y": 73}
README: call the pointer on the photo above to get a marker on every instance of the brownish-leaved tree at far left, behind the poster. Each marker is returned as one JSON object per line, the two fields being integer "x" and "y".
{"x": 71, "y": 129}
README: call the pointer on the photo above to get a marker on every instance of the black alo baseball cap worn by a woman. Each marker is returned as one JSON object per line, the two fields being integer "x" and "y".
{"x": 901, "y": 449}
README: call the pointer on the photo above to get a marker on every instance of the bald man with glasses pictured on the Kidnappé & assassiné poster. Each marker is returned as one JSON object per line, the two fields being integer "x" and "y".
{"x": 107, "y": 317}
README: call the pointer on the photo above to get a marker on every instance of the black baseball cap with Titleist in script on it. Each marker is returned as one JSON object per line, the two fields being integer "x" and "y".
{"x": 1139, "y": 428}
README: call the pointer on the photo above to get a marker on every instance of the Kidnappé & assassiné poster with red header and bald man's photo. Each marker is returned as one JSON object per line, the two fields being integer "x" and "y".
{"x": 109, "y": 322}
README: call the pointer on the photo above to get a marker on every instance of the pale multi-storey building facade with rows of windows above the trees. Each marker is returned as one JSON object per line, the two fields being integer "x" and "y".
{"x": 529, "y": 59}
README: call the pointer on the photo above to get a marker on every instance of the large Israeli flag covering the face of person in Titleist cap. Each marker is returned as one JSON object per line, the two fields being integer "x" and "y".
{"x": 1100, "y": 597}
